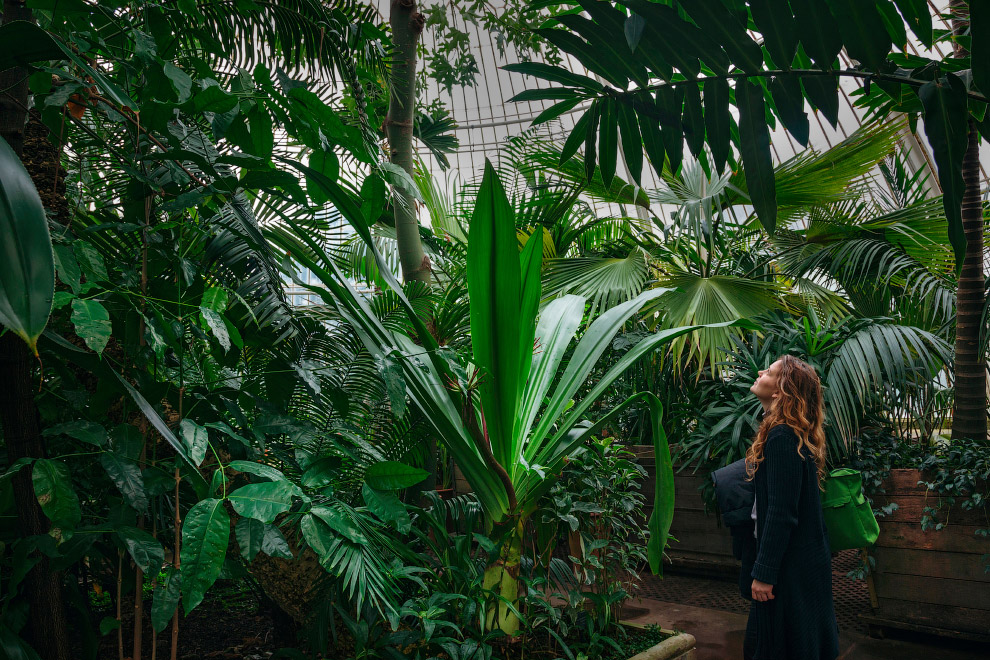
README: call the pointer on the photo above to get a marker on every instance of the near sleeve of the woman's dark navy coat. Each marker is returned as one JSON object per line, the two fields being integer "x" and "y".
{"x": 783, "y": 480}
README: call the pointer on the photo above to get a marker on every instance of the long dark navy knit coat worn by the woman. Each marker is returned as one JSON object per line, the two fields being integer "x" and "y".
{"x": 790, "y": 552}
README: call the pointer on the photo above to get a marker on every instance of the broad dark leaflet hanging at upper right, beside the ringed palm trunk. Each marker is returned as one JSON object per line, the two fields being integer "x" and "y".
{"x": 947, "y": 129}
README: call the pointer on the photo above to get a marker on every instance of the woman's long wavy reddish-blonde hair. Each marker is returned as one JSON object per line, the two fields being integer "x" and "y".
{"x": 801, "y": 405}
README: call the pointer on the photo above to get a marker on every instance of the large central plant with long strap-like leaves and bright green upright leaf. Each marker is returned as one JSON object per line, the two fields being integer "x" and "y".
{"x": 507, "y": 418}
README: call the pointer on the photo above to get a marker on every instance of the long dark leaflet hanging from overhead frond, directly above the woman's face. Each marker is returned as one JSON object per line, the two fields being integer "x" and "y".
{"x": 754, "y": 144}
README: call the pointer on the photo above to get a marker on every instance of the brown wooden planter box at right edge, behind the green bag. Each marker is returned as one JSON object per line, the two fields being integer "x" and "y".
{"x": 929, "y": 581}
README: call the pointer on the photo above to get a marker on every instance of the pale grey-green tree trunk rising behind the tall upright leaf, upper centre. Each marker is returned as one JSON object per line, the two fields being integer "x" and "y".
{"x": 407, "y": 28}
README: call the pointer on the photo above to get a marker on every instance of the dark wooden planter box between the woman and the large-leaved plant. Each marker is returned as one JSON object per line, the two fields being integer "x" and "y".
{"x": 703, "y": 546}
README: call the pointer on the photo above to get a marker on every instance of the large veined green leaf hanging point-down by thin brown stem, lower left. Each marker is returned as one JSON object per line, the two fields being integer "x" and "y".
{"x": 205, "y": 535}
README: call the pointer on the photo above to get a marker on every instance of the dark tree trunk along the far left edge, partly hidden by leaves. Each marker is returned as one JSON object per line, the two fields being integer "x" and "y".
{"x": 46, "y": 630}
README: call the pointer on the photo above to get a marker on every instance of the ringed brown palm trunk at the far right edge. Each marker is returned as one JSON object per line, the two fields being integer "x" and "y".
{"x": 969, "y": 415}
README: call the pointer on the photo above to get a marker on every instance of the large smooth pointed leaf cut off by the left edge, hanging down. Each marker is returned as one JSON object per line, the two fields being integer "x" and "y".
{"x": 27, "y": 265}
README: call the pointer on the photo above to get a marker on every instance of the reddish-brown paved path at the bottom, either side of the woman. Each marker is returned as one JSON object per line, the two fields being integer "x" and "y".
{"x": 720, "y": 635}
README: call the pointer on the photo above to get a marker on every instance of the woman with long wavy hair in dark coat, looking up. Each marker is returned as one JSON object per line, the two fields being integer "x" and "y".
{"x": 792, "y": 616}
